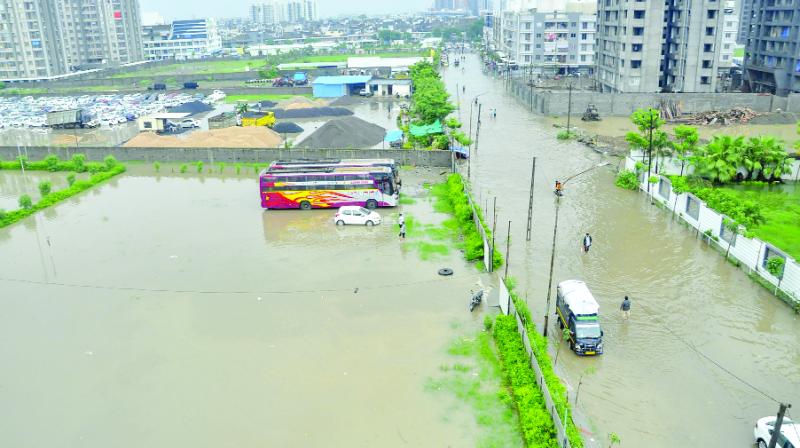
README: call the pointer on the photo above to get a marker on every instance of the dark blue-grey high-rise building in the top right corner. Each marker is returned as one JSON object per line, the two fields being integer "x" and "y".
{"x": 772, "y": 51}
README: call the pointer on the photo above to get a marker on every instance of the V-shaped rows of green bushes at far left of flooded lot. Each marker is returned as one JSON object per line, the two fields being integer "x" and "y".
{"x": 100, "y": 173}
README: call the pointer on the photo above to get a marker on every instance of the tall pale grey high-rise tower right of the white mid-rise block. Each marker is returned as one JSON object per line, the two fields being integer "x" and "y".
{"x": 658, "y": 45}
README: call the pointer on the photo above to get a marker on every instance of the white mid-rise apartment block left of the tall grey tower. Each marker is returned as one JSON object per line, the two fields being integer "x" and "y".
{"x": 549, "y": 42}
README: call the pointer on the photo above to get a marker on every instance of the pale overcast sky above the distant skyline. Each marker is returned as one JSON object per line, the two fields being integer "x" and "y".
{"x": 190, "y": 9}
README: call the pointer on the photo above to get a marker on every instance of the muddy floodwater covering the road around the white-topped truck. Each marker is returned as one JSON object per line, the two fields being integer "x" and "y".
{"x": 666, "y": 378}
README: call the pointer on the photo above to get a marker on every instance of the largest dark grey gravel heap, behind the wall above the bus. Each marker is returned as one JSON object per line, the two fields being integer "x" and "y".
{"x": 347, "y": 132}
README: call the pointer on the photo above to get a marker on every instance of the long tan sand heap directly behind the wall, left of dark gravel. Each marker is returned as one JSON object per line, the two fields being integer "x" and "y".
{"x": 233, "y": 137}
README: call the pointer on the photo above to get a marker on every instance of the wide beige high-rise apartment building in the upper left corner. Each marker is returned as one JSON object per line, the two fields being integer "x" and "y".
{"x": 43, "y": 38}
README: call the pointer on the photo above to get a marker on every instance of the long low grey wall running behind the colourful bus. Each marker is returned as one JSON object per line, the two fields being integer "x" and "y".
{"x": 233, "y": 155}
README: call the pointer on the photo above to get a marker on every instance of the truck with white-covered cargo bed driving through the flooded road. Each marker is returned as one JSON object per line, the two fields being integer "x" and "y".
{"x": 578, "y": 311}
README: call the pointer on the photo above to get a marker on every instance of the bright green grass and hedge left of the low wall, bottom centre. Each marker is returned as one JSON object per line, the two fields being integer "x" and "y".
{"x": 474, "y": 378}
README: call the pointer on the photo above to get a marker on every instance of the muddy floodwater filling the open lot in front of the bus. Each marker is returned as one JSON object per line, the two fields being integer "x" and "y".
{"x": 171, "y": 310}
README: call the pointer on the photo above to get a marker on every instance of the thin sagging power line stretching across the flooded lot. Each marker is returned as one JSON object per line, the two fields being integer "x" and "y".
{"x": 228, "y": 292}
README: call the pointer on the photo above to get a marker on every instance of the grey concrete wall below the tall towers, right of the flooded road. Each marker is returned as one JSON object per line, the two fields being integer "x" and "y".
{"x": 550, "y": 102}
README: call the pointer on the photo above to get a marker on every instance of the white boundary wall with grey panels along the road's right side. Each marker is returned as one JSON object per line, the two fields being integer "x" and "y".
{"x": 752, "y": 253}
